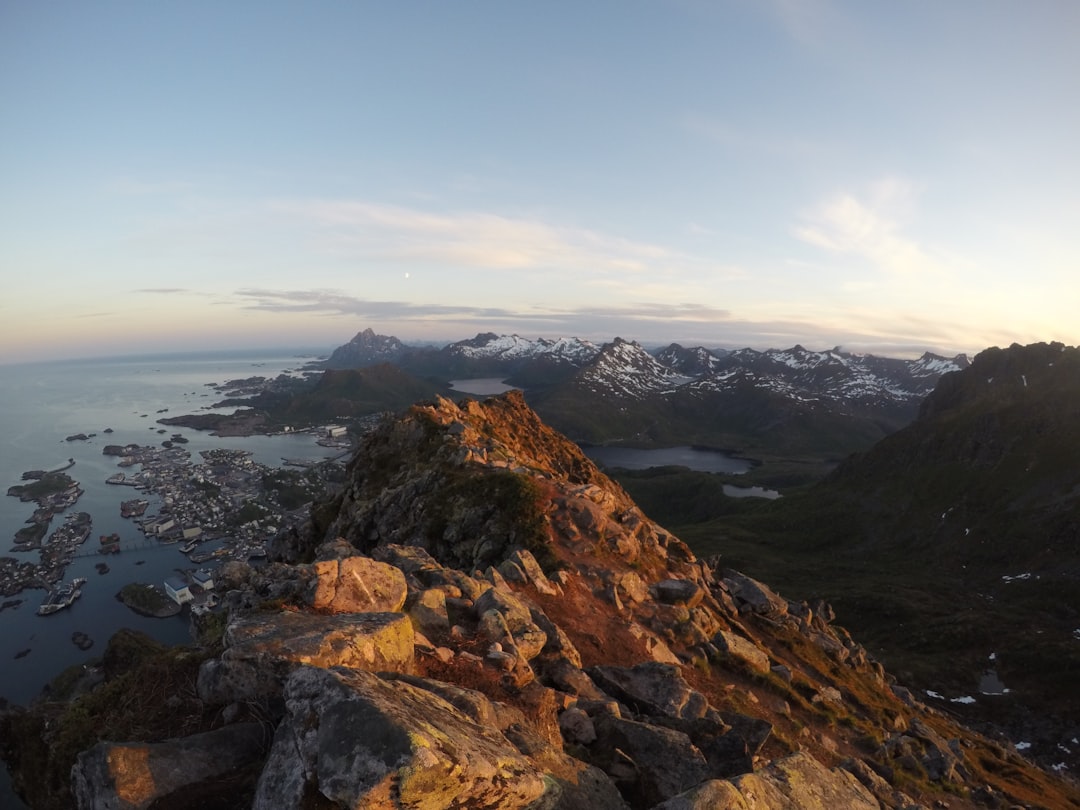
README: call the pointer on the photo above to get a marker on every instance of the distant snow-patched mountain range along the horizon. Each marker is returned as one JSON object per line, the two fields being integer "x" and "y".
{"x": 790, "y": 403}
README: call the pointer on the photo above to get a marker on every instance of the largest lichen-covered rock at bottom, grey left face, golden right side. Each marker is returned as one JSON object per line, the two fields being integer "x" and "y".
{"x": 355, "y": 740}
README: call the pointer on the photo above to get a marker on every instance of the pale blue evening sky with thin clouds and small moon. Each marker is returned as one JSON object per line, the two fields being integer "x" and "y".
{"x": 889, "y": 178}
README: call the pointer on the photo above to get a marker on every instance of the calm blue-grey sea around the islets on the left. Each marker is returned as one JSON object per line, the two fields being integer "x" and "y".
{"x": 43, "y": 404}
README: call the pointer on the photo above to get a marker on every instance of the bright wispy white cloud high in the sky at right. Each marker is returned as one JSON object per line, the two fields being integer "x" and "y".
{"x": 870, "y": 228}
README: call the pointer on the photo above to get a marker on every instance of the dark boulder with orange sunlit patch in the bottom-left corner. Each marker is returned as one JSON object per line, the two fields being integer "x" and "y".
{"x": 134, "y": 776}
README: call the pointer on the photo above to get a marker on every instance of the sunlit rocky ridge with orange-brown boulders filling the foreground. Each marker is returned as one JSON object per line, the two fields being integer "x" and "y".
{"x": 482, "y": 619}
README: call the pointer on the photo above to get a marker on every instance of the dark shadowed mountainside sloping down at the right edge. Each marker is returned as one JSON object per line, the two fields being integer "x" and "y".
{"x": 953, "y": 547}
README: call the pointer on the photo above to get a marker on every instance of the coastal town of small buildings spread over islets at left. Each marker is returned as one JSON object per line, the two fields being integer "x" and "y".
{"x": 222, "y": 507}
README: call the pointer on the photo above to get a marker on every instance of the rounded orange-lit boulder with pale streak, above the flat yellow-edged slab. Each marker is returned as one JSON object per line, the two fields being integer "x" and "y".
{"x": 358, "y": 586}
